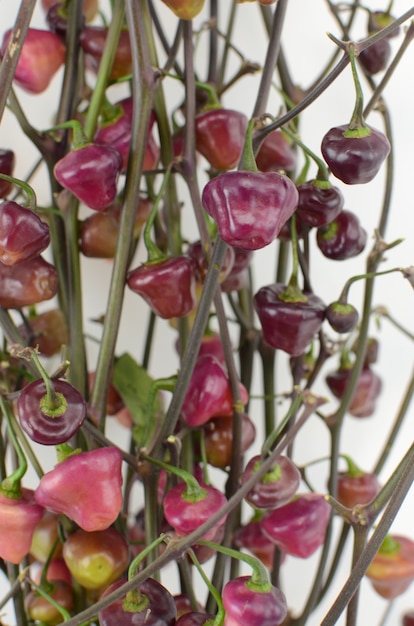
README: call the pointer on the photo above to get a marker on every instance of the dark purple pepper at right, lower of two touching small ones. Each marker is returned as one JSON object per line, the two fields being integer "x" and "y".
{"x": 343, "y": 238}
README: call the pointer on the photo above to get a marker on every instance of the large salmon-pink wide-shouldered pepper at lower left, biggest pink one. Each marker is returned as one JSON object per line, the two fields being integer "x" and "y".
{"x": 87, "y": 487}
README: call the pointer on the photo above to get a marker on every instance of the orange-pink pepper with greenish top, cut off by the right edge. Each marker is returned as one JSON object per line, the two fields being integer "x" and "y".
{"x": 391, "y": 571}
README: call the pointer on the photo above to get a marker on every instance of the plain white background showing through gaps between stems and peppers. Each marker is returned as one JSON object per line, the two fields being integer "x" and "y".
{"x": 307, "y": 48}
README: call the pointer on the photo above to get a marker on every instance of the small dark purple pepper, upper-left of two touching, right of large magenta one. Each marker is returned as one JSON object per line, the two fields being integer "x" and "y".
{"x": 319, "y": 204}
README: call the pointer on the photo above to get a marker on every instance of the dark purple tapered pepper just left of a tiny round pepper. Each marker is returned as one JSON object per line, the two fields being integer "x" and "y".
{"x": 287, "y": 325}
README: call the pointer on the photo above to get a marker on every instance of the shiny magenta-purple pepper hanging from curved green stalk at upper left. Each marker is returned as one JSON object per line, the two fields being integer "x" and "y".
{"x": 91, "y": 174}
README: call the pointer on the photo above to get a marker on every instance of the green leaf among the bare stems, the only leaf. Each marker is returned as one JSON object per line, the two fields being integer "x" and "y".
{"x": 135, "y": 386}
